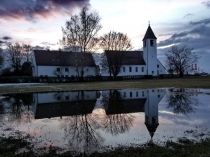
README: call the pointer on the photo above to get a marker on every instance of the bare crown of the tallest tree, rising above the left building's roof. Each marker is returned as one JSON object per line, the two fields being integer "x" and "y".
{"x": 81, "y": 30}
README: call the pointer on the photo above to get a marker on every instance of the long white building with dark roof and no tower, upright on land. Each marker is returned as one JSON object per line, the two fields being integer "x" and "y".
{"x": 63, "y": 64}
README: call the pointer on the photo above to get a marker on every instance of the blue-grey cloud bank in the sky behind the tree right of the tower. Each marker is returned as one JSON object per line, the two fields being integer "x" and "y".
{"x": 197, "y": 38}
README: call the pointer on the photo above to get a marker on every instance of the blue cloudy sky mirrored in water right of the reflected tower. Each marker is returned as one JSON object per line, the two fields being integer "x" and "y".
{"x": 199, "y": 116}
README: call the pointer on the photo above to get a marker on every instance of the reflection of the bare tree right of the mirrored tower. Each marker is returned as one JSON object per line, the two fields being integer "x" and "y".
{"x": 181, "y": 101}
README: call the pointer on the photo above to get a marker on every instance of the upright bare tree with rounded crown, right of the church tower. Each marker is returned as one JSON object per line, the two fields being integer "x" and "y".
{"x": 180, "y": 59}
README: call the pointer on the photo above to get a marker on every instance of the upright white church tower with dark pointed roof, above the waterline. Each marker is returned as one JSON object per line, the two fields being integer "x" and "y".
{"x": 150, "y": 52}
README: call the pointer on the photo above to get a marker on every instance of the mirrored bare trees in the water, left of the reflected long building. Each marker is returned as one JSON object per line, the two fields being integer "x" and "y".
{"x": 17, "y": 108}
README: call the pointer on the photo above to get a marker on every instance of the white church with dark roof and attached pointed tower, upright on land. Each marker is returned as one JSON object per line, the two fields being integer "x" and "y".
{"x": 140, "y": 62}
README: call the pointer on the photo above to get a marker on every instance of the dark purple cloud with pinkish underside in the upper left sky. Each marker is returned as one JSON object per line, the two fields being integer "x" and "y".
{"x": 34, "y": 9}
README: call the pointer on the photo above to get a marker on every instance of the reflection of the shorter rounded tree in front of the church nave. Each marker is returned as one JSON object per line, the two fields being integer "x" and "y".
{"x": 116, "y": 121}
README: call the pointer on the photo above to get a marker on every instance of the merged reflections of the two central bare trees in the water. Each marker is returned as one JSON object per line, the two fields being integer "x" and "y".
{"x": 82, "y": 129}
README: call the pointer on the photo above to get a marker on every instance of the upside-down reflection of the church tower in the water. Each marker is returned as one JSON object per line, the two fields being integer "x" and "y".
{"x": 151, "y": 112}
